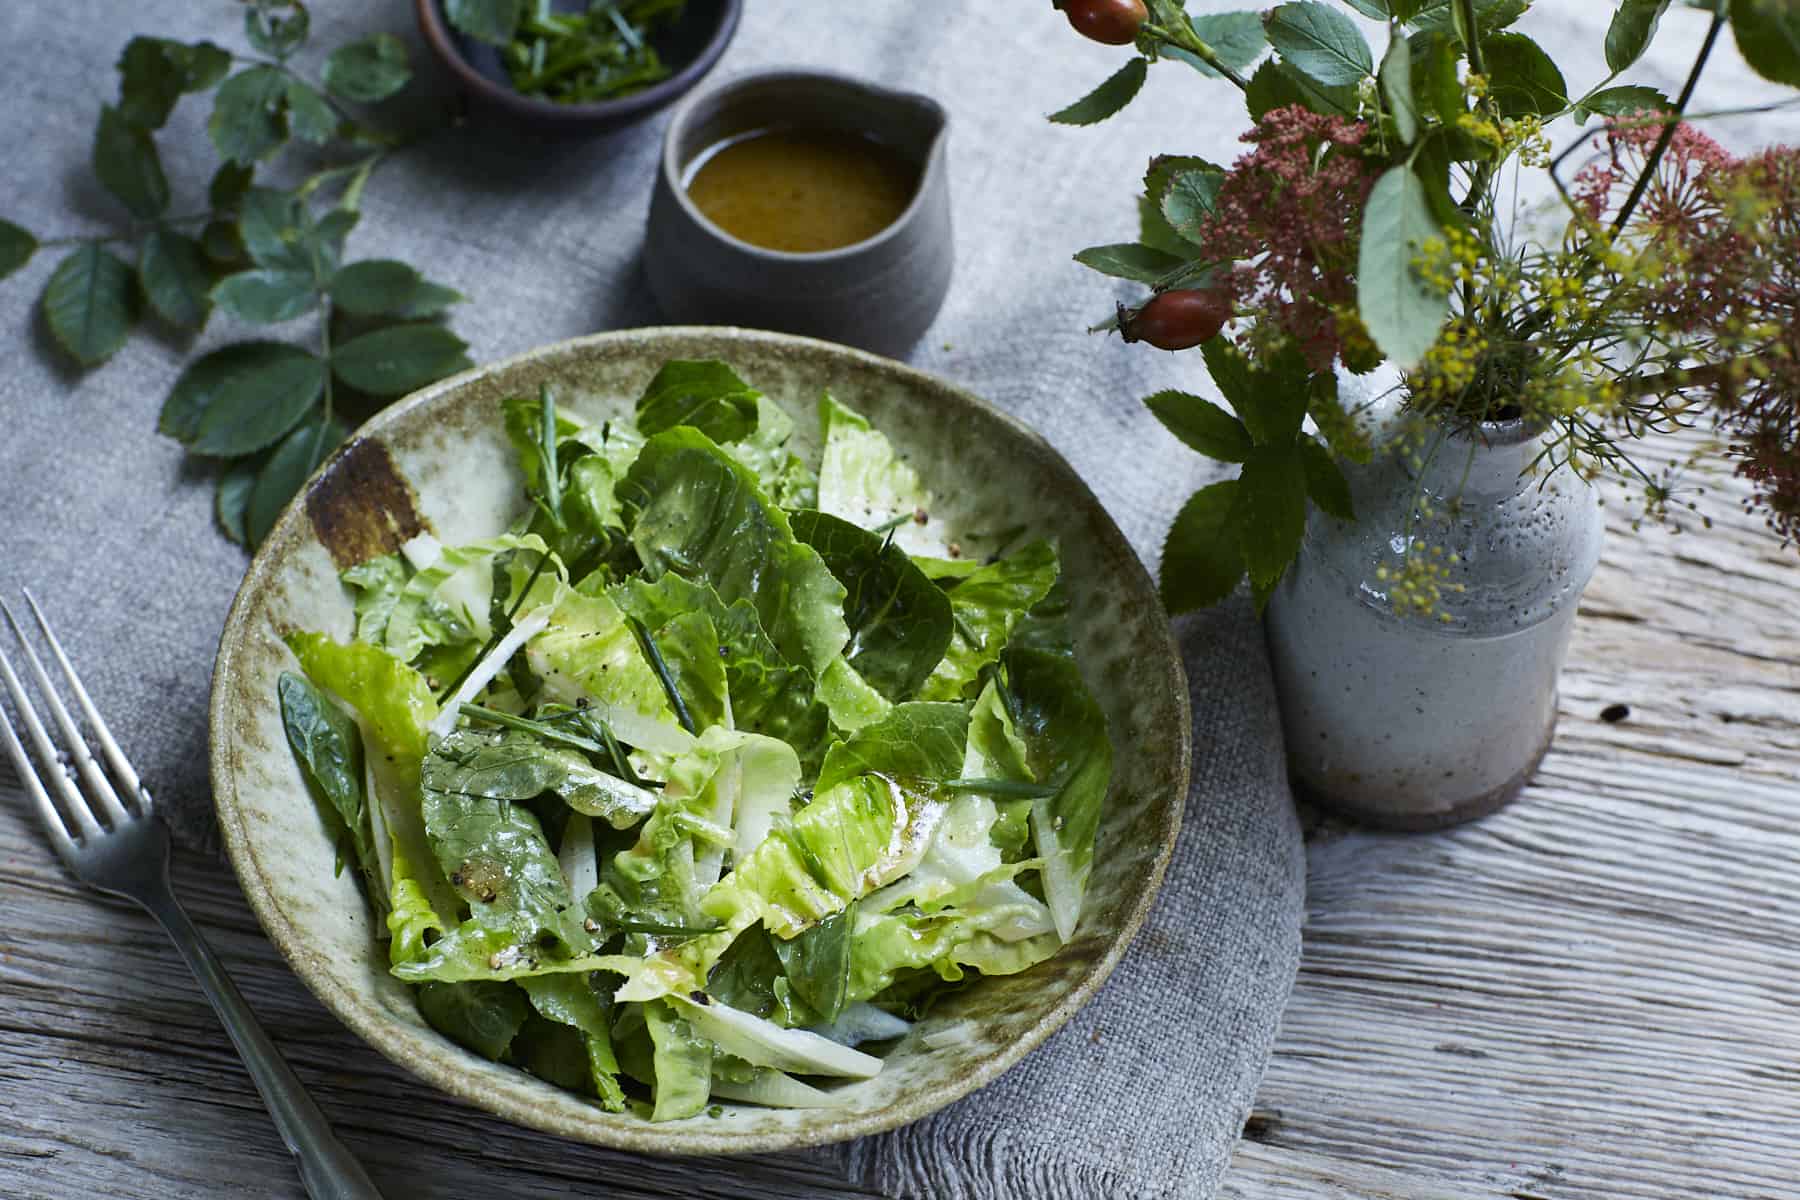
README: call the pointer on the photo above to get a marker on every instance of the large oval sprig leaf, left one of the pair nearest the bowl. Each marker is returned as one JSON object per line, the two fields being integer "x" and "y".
{"x": 242, "y": 399}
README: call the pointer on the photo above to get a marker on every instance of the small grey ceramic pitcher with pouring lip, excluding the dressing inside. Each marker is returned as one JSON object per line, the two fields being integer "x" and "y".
{"x": 879, "y": 294}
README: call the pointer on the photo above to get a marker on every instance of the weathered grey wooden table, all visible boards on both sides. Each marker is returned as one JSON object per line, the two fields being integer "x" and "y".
{"x": 1592, "y": 994}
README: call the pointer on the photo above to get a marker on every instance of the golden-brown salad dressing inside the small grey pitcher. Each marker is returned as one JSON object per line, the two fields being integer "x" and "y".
{"x": 802, "y": 190}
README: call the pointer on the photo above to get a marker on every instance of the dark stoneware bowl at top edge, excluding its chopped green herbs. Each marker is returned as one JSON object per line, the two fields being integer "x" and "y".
{"x": 690, "y": 46}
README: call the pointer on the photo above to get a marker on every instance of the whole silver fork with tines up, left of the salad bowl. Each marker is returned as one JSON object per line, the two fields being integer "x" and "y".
{"x": 125, "y": 850}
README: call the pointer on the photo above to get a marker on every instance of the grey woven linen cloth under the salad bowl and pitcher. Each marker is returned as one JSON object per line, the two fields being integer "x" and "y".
{"x": 1146, "y": 1091}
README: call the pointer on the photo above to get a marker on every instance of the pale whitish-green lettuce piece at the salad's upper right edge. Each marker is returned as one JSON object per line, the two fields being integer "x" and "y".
{"x": 867, "y": 483}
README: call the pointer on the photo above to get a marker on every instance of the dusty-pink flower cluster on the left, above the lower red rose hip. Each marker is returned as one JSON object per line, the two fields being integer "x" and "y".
{"x": 1288, "y": 219}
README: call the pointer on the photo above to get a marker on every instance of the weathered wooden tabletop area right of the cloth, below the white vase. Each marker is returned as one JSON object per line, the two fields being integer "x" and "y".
{"x": 1596, "y": 992}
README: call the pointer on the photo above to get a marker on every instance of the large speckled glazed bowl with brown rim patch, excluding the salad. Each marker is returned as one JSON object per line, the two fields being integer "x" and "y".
{"x": 440, "y": 461}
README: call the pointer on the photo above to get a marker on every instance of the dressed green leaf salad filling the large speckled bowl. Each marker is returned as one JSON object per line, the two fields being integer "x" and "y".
{"x": 717, "y": 767}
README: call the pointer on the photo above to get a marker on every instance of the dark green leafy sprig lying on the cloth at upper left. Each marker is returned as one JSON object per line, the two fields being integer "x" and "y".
{"x": 269, "y": 411}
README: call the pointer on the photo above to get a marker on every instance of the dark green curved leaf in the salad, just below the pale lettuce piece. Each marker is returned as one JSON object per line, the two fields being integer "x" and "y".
{"x": 899, "y": 620}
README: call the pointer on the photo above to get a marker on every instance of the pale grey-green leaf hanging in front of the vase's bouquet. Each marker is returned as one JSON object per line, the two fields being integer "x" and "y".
{"x": 1401, "y": 310}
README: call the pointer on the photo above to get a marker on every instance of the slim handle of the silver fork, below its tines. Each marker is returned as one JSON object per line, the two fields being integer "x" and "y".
{"x": 328, "y": 1169}
